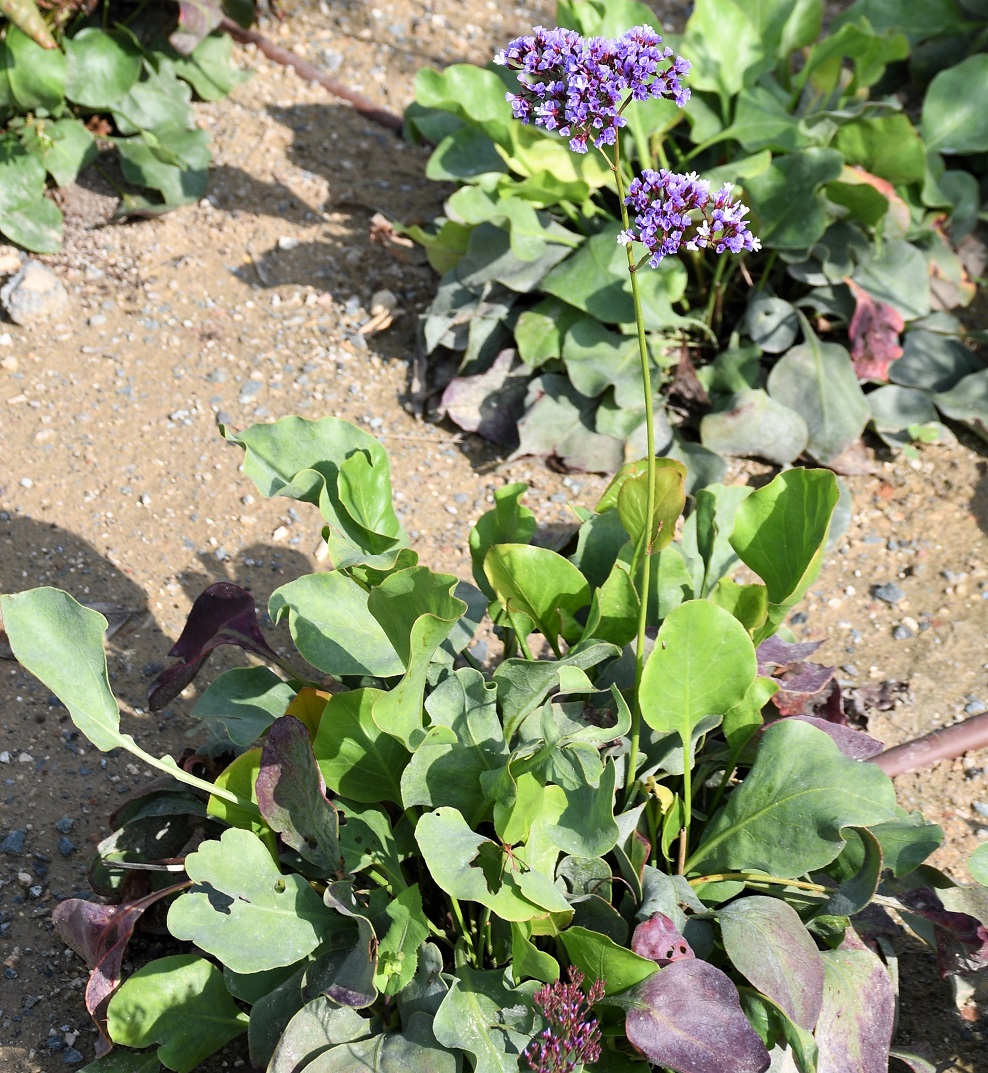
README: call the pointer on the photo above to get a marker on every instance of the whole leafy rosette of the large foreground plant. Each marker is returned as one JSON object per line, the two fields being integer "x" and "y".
{"x": 404, "y": 848}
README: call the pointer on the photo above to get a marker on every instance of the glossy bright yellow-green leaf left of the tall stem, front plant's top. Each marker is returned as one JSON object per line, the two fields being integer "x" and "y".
{"x": 541, "y": 584}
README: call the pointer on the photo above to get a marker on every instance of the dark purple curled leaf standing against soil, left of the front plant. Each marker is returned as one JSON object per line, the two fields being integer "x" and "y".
{"x": 223, "y": 614}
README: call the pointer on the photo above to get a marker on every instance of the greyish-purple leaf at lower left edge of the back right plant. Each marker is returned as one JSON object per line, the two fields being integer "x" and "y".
{"x": 492, "y": 403}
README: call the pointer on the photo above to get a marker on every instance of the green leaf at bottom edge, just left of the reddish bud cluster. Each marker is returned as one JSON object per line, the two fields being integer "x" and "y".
{"x": 488, "y": 1019}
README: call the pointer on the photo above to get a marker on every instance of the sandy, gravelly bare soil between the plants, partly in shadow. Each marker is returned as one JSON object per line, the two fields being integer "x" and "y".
{"x": 115, "y": 486}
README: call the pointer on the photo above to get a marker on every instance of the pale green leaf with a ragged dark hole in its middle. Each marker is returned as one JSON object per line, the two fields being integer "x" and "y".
{"x": 475, "y": 869}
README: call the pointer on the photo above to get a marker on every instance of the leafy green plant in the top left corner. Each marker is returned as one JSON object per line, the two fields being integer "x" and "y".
{"x": 69, "y": 85}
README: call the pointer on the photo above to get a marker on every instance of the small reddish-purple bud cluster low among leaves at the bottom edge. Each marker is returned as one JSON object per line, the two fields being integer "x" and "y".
{"x": 573, "y": 1037}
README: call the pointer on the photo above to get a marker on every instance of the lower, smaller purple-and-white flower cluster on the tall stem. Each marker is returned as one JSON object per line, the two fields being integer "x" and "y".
{"x": 675, "y": 211}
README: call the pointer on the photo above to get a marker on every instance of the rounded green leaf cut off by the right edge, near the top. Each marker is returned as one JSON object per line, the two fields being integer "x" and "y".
{"x": 952, "y": 120}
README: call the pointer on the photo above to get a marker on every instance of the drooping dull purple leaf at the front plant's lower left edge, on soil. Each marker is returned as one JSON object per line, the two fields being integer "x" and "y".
{"x": 99, "y": 935}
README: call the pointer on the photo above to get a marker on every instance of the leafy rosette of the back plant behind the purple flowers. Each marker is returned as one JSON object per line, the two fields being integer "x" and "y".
{"x": 862, "y": 156}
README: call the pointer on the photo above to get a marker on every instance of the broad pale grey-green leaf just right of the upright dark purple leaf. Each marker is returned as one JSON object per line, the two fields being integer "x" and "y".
{"x": 333, "y": 627}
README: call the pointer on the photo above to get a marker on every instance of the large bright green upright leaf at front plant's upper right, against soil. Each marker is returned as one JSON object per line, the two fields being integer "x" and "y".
{"x": 780, "y": 532}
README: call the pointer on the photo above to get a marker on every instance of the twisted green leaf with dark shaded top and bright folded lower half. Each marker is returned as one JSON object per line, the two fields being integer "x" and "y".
{"x": 418, "y": 611}
